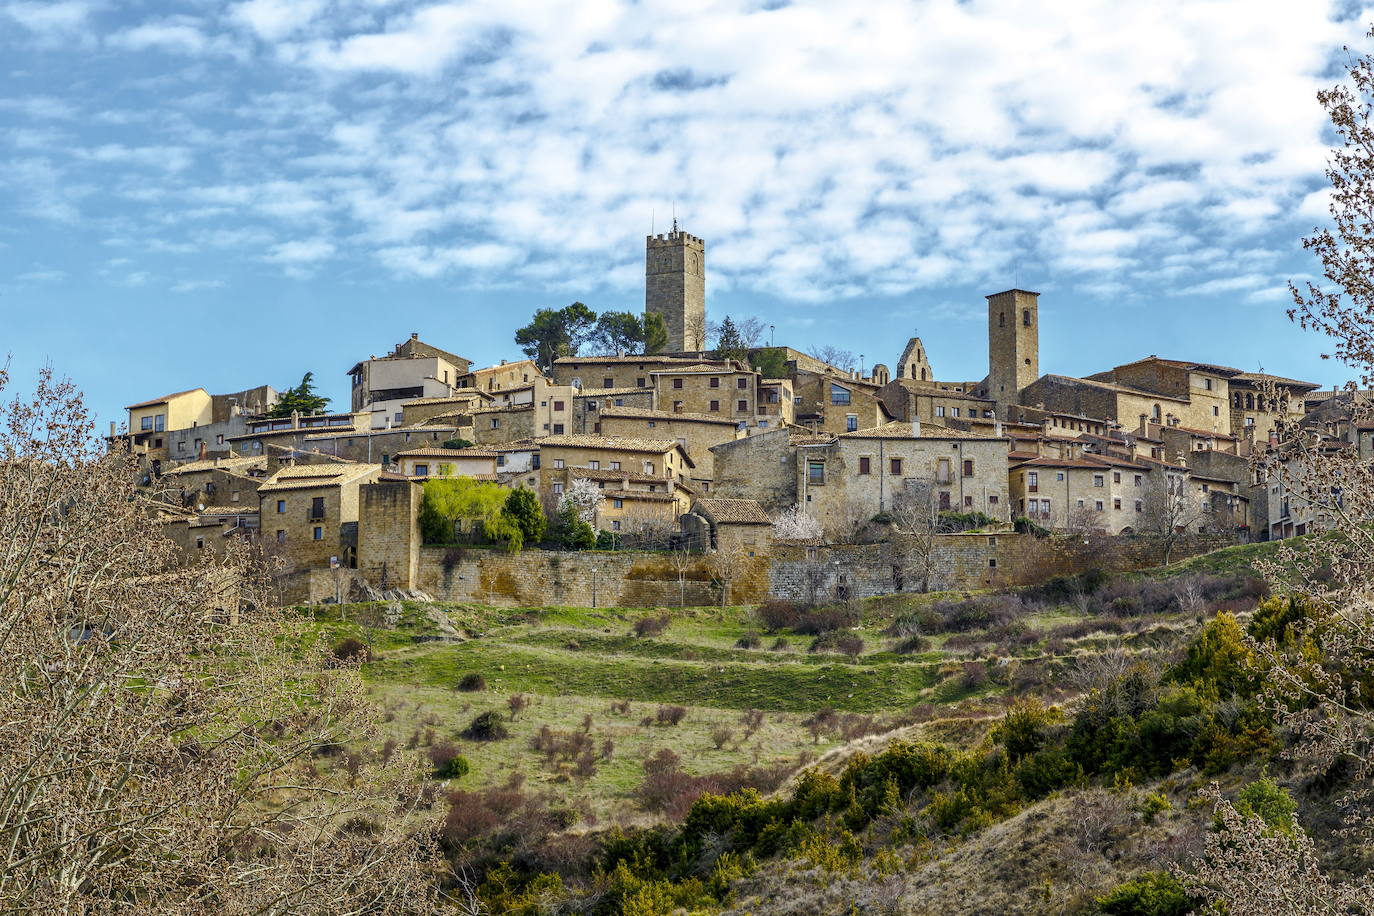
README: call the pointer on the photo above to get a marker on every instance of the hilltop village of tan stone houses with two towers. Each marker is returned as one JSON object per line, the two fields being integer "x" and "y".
{"x": 759, "y": 455}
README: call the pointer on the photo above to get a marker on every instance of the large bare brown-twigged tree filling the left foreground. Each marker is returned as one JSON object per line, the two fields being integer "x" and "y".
{"x": 159, "y": 734}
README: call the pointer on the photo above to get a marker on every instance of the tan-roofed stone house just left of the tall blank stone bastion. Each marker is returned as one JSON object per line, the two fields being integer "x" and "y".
{"x": 308, "y": 514}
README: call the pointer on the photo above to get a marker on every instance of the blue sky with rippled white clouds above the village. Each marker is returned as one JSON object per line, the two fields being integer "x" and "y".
{"x": 229, "y": 194}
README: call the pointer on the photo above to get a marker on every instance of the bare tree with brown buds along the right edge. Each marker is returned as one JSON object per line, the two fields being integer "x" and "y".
{"x": 1320, "y": 697}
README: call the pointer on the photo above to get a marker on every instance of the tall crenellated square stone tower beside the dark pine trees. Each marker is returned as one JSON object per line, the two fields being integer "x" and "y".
{"x": 675, "y": 288}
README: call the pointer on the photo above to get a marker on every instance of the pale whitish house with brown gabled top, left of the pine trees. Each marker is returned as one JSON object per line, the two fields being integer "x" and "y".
{"x": 413, "y": 370}
